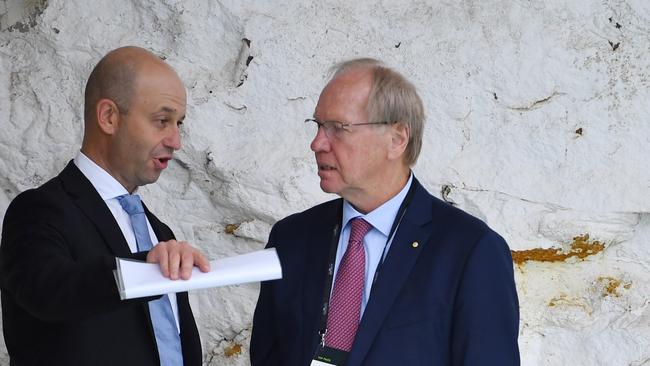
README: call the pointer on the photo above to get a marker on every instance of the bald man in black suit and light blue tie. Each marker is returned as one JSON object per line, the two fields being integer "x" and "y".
{"x": 60, "y": 303}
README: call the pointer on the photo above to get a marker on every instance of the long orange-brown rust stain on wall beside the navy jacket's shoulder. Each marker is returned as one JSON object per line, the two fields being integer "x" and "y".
{"x": 581, "y": 247}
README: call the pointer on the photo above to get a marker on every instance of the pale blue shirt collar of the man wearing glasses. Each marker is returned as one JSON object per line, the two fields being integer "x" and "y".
{"x": 382, "y": 217}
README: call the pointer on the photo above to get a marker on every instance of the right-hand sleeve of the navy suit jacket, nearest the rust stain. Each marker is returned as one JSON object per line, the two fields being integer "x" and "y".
{"x": 486, "y": 315}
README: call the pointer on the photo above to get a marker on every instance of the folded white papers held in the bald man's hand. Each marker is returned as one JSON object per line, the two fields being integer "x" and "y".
{"x": 138, "y": 279}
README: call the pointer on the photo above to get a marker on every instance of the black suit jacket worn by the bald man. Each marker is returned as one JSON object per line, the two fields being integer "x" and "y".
{"x": 60, "y": 304}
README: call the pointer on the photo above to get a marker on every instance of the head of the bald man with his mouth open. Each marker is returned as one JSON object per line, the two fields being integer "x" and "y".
{"x": 135, "y": 104}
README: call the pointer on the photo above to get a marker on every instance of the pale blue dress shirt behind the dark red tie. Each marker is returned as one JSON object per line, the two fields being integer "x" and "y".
{"x": 381, "y": 219}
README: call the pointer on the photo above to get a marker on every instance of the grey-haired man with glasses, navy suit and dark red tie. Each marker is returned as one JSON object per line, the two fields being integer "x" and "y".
{"x": 387, "y": 274}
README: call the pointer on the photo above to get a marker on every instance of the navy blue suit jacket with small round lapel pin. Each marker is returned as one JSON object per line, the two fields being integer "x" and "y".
{"x": 449, "y": 301}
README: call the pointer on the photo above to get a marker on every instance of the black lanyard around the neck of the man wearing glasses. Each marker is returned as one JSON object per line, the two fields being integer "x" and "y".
{"x": 332, "y": 260}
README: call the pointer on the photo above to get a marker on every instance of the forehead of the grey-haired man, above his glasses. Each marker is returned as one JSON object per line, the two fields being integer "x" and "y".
{"x": 345, "y": 95}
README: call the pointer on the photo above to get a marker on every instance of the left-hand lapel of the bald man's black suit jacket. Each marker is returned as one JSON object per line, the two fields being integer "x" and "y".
{"x": 86, "y": 197}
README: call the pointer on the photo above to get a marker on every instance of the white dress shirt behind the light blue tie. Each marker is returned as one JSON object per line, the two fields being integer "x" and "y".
{"x": 109, "y": 189}
